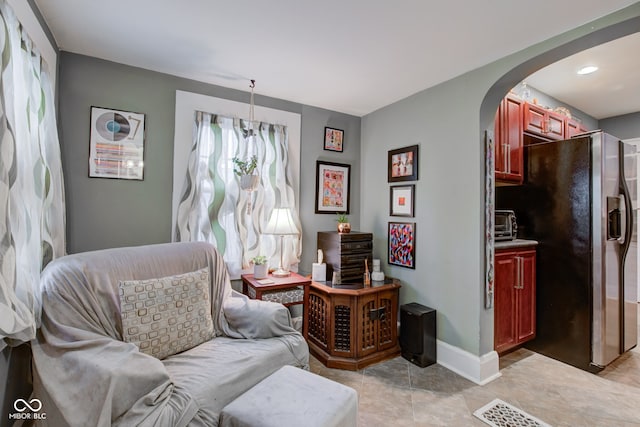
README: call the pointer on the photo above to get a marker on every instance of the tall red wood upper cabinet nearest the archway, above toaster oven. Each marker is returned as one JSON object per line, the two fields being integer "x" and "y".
{"x": 508, "y": 141}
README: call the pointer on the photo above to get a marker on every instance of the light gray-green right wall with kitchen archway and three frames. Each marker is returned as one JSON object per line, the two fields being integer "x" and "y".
{"x": 448, "y": 122}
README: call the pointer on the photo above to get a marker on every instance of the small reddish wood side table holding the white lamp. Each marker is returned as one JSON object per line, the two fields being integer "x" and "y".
{"x": 291, "y": 290}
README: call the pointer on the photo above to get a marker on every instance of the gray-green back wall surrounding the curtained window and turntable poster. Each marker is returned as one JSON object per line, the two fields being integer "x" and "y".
{"x": 104, "y": 213}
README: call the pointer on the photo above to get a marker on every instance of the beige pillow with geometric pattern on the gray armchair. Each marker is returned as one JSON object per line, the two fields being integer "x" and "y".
{"x": 167, "y": 315}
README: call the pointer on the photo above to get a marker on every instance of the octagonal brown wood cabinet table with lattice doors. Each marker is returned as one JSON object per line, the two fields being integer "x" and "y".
{"x": 352, "y": 326}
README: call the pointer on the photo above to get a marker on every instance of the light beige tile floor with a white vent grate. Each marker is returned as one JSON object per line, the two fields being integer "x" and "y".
{"x": 397, "y": 393}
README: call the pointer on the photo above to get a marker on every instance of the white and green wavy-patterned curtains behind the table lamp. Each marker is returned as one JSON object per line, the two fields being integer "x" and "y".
{"x": 213, "y": 208}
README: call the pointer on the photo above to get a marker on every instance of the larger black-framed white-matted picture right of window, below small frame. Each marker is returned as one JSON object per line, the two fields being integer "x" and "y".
{"x": 333, "y": 183}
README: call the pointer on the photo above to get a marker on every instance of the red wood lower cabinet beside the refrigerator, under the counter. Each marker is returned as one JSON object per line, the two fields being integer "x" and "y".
{"x": 514, "y": 298}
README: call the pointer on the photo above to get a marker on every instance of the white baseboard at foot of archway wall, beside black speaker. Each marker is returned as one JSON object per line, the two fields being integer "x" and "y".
{"x": 479, "y": 369}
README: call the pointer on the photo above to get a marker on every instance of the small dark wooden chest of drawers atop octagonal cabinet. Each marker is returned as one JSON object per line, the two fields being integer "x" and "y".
{"x": 345, "y": 253}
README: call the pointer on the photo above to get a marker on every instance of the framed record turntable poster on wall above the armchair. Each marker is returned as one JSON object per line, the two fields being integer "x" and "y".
{"x": 116, "y": 144}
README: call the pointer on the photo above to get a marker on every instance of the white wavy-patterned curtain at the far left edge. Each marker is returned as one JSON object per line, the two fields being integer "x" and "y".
{"x": 32, "y": 218}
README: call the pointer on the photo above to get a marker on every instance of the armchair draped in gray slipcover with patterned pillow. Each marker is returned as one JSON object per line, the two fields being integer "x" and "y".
{"x": 107, "y": 353}
